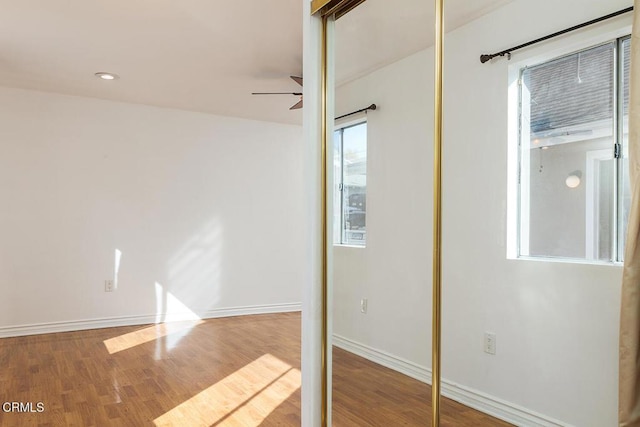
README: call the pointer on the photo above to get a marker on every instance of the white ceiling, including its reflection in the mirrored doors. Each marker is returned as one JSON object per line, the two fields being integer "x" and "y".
{"x": 201, "y": 55}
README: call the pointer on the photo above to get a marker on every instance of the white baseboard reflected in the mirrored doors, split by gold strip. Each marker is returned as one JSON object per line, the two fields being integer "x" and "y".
{"x": 472, "y": 398}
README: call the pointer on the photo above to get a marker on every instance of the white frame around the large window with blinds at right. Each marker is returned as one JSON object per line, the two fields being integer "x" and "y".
{"x": 584, "y": 40}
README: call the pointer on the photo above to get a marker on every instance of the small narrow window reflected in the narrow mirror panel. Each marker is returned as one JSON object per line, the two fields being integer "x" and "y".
{"x": 350, "y": 185}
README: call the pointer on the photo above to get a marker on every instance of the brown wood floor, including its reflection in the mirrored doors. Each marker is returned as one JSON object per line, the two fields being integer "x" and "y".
{"x": 238, "y": 371}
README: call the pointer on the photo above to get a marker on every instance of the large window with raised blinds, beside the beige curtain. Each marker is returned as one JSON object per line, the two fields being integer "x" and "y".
{"x": 573, "y": 179}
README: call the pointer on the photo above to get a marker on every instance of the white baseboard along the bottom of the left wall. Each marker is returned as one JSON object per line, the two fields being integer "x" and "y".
{"x": 109, "y": 322}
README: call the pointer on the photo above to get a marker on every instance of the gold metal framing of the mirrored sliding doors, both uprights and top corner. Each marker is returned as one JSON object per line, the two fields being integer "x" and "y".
{"x": 338, "y": 8}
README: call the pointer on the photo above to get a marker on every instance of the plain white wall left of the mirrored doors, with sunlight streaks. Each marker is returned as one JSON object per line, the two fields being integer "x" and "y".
{"x": 205, "y": 210}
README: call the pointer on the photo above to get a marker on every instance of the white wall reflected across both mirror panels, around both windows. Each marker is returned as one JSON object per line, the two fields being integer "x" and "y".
{"x": 556, "y": 323}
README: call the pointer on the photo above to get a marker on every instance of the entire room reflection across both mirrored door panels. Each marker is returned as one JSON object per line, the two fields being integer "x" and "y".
{"x": 515, "y": 332}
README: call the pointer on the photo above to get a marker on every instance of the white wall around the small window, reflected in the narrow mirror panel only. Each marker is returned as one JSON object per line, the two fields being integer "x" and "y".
{"x": 391, "y": 271}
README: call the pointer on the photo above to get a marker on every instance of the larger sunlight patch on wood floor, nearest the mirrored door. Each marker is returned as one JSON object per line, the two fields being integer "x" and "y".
{"x": 246, "y": 397}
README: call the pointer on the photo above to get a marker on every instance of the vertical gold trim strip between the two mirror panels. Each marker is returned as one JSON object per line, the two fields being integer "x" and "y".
{"x": 437, "y": 216}
